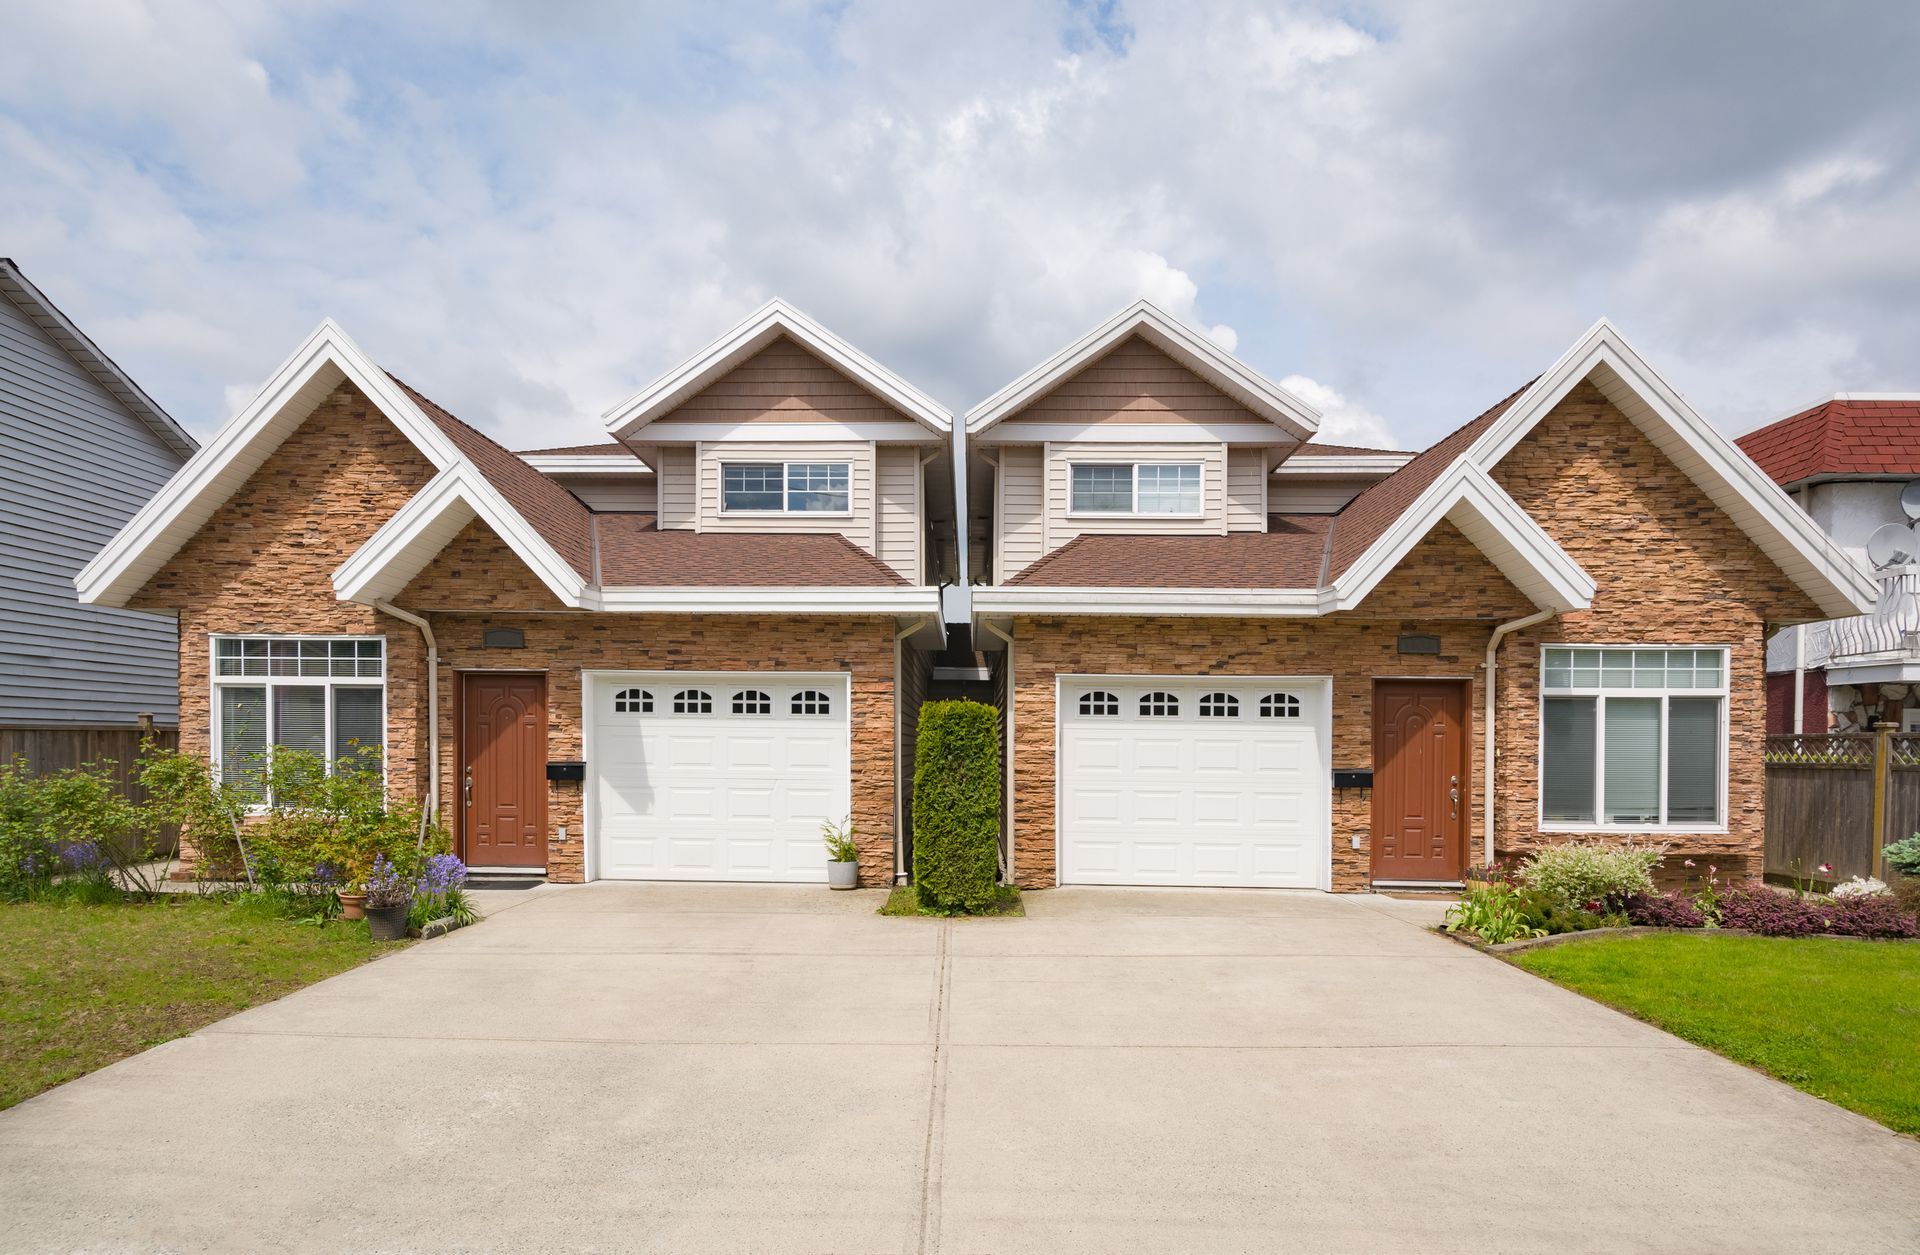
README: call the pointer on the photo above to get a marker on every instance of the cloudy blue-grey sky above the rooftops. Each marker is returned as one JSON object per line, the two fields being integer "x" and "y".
{"x": 1403, "y": 210}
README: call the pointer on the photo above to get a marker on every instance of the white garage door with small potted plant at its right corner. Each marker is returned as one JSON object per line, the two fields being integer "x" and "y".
{"x": 717, "y": 778}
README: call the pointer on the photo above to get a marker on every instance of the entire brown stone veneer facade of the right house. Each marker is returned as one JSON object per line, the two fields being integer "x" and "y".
{"x": 1671, "y": 571}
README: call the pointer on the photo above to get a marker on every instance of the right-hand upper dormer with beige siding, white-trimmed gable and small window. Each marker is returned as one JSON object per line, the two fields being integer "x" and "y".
{"x": 1143, "y": 427}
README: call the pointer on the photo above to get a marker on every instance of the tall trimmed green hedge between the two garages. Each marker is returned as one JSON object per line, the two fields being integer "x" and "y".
{"x": 957, "y": 807}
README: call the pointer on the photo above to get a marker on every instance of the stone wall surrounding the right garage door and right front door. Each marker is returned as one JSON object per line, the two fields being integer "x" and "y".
{"x": 1439, "y": 579}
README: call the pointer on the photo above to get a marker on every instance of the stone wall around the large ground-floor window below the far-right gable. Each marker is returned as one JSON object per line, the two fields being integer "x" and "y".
{"x": 1671, "y": 571}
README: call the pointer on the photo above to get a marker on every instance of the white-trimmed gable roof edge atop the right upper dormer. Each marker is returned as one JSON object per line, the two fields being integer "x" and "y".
{"x": 1184, "y": 344}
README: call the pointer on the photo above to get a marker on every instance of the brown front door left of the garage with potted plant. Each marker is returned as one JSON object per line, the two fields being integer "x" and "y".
{"x": 504, "y": 770}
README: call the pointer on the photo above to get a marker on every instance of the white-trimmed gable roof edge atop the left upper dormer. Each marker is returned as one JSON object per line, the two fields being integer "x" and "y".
{"x": 756, "y": 333}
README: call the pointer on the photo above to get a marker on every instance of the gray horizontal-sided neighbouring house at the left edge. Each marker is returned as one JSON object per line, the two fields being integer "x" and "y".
{"x": 82, "y": 450}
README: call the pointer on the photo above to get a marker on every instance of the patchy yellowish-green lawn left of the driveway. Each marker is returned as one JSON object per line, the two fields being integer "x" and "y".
{"x": 87, "y": 985}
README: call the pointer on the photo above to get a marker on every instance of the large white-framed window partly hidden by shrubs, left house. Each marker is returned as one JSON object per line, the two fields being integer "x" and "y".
{"x": 325, "y": 696}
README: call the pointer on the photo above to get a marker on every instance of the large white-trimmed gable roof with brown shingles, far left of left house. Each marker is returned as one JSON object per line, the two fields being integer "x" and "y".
{"x": 489, "y": 479}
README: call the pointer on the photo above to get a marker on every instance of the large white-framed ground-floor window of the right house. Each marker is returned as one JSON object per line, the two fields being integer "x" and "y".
{"x": 1633, "y": 738}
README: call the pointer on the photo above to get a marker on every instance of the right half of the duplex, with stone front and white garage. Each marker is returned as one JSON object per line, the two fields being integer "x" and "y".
{"x": 1548, "y": 625}
